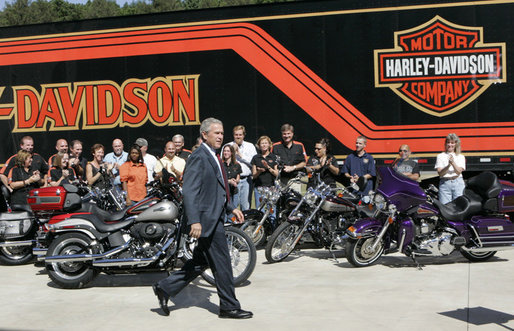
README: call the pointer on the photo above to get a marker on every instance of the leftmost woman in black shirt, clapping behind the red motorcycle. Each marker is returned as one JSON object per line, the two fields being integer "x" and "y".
{"x": 21, "y": 180}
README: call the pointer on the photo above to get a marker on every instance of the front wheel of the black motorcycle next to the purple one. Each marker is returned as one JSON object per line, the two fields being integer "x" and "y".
{"x": 281, "y": 242}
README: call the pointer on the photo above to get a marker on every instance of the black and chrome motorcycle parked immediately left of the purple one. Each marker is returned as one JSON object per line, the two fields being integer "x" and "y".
{"x": 322, "y": 214}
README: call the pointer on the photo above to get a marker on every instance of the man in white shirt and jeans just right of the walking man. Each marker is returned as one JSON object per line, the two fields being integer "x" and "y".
{"x": 245, "y": 151}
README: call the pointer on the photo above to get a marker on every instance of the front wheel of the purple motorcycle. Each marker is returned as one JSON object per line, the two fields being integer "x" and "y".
{"x": 360, "y": 253}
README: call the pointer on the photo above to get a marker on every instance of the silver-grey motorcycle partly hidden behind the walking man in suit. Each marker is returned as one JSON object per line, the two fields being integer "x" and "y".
{"x": 153, "y": 239}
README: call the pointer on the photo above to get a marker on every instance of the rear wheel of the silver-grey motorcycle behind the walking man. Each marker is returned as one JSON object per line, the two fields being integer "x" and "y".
{"x": 70, "y": 275}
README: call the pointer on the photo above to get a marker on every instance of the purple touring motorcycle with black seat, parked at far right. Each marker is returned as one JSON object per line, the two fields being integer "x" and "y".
{"x": 411, "y": 220}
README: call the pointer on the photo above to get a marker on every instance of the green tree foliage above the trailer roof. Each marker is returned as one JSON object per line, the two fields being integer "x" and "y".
{"x": 22, "y": 12}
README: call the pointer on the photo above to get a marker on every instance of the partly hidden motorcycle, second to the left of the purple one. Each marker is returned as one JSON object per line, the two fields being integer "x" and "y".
{"x": 258, "y": 223}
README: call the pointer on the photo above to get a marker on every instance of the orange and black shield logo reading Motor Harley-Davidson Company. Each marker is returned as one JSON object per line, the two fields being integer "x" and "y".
{"x": 440, "y": 67}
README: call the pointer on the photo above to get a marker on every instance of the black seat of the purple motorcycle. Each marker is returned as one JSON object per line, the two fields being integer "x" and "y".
{"x": 462, "y": 208}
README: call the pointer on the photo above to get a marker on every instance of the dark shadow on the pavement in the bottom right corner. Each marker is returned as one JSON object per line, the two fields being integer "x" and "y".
{"x": 480, "y": 316}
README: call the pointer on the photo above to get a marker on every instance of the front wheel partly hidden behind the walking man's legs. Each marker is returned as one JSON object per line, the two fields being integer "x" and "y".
{"x": 243, "y": 256}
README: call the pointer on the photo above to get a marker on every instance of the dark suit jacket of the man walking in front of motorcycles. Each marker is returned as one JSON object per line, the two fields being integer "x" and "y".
{"x": 204, "y": 191}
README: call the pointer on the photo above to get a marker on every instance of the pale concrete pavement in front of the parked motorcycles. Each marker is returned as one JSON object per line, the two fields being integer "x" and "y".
{"x": 307, "y": 292}
